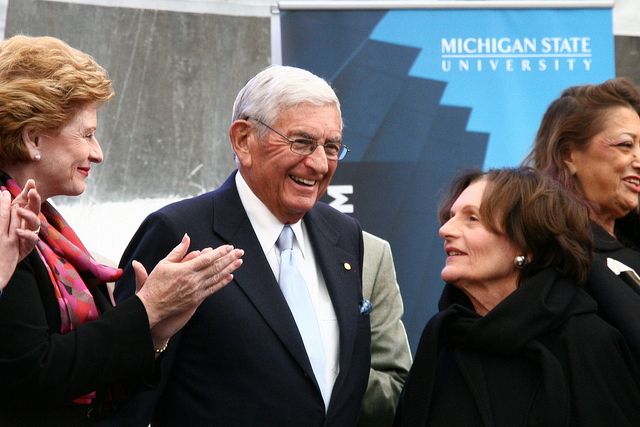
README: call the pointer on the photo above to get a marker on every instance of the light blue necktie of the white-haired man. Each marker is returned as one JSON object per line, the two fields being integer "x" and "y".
{"x": 297, "y": 295}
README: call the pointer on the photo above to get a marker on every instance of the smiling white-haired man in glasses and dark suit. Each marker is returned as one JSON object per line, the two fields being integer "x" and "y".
{"x": 286, "y": 343}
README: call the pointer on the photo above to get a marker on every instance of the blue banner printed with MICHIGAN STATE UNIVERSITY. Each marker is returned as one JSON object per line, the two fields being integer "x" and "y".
{"x": 428, "y": 92}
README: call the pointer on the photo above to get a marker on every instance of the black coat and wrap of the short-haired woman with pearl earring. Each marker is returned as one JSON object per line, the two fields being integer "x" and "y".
{"x": 541, "y": 357}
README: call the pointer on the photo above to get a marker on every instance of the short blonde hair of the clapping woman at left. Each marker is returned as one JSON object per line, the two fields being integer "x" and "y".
{"x": 43, "y": 83}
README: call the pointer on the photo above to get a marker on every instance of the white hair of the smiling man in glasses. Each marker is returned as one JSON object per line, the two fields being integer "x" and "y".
{"x": 278, "y": 87}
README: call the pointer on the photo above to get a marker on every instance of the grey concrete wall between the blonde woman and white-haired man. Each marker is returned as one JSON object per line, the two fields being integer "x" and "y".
{"x": 175, "y": 76}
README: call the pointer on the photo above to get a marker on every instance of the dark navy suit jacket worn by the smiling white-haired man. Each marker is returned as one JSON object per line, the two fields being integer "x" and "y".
{"x": 240, "y": 360}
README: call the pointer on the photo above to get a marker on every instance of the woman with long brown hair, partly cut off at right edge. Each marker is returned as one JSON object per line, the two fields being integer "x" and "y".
{"x": 589, "y": 141}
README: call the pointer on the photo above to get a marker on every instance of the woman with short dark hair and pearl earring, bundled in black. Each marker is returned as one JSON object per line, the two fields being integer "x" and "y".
{"x": 518, "y": 341}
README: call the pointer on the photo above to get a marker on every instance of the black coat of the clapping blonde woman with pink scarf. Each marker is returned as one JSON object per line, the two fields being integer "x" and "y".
{"x": 43, "y": 371}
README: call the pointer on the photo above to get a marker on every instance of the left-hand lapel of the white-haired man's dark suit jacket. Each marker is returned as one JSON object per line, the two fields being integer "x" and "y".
{"x": 255, "y": 279}
